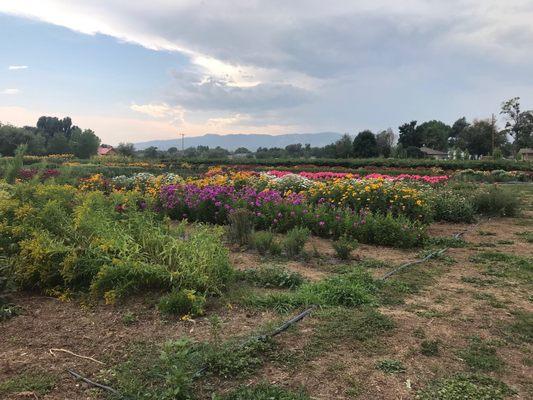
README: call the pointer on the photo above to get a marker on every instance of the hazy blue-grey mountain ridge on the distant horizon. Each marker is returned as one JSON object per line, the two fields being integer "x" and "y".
{"x": 250, "y": 141}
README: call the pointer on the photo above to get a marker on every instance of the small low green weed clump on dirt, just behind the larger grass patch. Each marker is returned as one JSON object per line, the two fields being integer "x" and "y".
{"x": 272, "y": 277}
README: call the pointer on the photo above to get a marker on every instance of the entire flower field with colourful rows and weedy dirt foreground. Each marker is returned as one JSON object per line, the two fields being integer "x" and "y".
{"x": 214, "y": 257}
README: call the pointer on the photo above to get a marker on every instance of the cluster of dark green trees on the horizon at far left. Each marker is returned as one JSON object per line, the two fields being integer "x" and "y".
{"x": 50, "y": 135}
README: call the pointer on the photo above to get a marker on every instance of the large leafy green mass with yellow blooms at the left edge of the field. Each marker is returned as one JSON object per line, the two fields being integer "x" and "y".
{"x": 63, "y": 241}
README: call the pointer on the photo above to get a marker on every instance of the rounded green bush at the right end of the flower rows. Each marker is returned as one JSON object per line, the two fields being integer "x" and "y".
{"x": 497, "y": 202}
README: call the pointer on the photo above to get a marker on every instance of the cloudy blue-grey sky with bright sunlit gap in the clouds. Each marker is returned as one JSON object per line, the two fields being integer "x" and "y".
{"x": 135, "y": 70}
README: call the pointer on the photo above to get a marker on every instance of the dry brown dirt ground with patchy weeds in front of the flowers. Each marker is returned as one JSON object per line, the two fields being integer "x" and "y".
{"x": 461, "y": 301}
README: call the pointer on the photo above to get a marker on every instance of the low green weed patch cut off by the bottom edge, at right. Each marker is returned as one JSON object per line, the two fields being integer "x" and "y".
{"x": 466, "y": 387}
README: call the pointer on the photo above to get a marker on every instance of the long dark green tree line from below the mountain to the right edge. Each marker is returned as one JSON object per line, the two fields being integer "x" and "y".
{"x": 480, "y": 137}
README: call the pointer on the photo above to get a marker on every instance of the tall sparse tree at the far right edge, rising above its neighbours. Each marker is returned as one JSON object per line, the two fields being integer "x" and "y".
{"x": 519, "y": 123}
